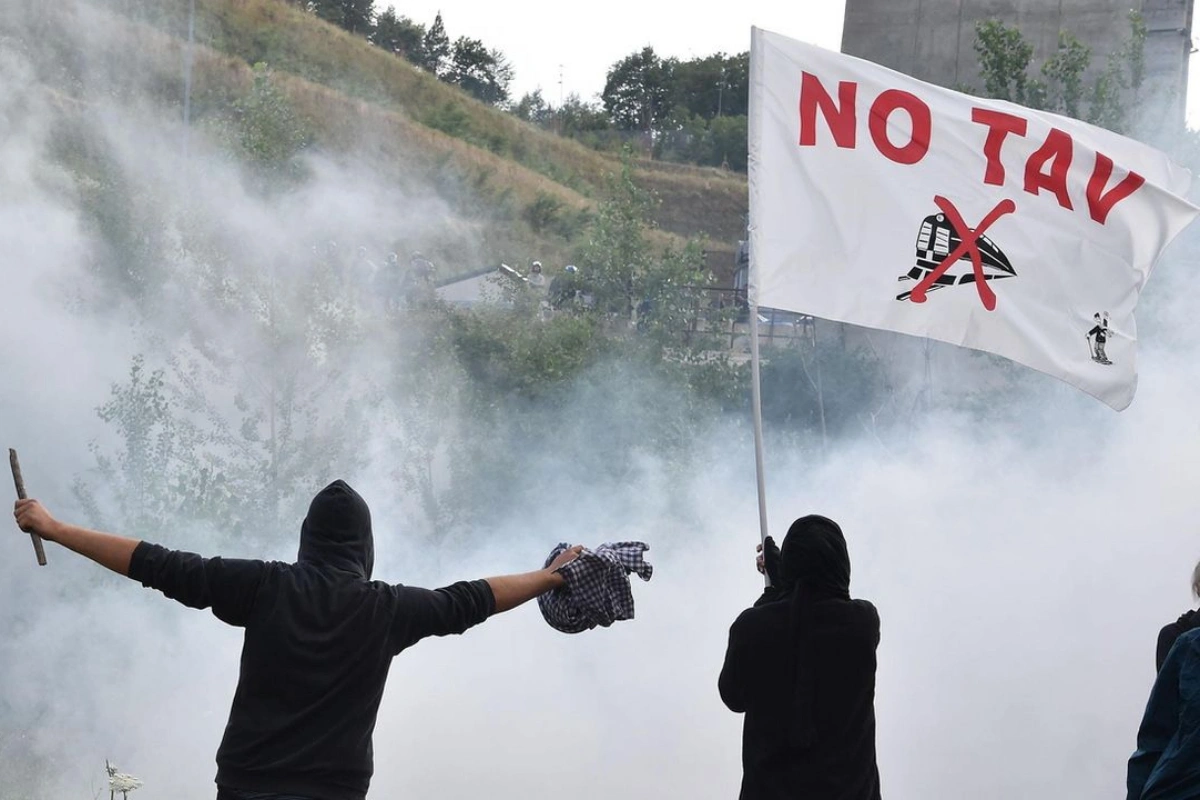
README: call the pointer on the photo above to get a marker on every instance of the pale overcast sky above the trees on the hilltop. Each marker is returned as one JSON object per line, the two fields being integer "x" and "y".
{"x": 545, "y": 40}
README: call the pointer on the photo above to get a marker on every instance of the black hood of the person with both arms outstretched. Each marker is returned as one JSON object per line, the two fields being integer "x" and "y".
{"x": 338, "y": 532}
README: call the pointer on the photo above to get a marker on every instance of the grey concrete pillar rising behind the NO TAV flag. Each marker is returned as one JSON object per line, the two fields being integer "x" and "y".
{"x": 934, "y": 40}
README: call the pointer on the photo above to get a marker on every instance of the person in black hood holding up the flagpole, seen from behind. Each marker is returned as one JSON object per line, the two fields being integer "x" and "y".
{"x": 801, "y": 666}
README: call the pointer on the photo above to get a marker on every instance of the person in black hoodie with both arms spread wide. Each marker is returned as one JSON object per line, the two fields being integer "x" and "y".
{"x": 320, "y": 637}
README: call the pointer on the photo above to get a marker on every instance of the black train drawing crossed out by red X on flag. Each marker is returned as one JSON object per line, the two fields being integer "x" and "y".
{"x": 941, "y": 249}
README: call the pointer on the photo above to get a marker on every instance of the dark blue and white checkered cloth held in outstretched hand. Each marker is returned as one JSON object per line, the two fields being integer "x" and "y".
{"x": 597, "y": 591}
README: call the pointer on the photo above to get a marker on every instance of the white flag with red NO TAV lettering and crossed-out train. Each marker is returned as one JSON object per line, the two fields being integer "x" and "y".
{"x": 881, "y": 201}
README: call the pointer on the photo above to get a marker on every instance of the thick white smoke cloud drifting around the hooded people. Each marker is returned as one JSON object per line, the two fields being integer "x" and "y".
{"x": 1022, "y": 563}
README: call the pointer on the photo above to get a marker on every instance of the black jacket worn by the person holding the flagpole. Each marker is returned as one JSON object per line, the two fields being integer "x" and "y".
{"x": 758, "y": 679}
